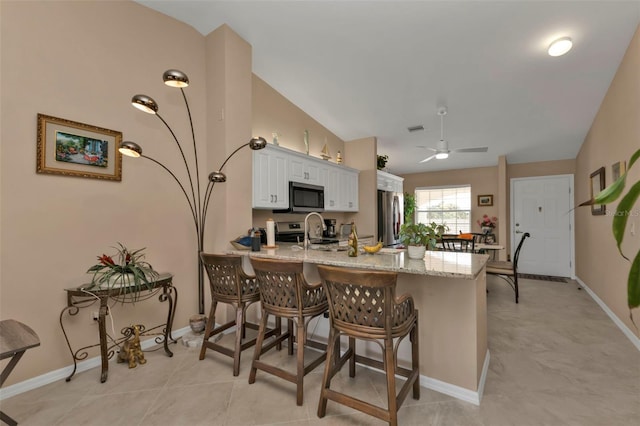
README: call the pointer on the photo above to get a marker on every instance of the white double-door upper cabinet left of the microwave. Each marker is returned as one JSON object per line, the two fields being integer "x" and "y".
{"x": 270, "y": 179}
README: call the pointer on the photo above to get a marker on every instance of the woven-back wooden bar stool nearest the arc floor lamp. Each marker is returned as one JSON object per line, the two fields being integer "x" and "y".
{"x": 230, "y": 284}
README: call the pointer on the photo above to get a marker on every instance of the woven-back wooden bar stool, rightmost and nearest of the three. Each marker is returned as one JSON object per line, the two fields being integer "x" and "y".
{"x": 363, "y": 305}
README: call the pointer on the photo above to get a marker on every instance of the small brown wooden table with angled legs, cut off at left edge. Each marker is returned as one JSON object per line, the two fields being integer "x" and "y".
{"x": 15, "y": 339}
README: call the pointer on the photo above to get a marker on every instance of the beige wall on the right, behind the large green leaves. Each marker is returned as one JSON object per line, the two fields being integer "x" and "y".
{"x": 613, "y": 137}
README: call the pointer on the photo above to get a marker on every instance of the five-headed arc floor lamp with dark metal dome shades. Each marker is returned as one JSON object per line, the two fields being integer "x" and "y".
{"x": 198, "y": 202}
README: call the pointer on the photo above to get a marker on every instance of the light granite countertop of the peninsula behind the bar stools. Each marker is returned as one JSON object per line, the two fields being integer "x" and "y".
{"x": 435, "y": 263}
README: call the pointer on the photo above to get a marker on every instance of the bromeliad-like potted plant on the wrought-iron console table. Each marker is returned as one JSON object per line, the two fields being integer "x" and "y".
{"x": 128, "y": 271}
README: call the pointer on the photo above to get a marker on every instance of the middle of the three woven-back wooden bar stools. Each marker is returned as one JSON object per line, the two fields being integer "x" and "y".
{"x": 285, "y": 293}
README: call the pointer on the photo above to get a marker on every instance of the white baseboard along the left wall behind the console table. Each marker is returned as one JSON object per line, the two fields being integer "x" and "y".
{"x": 63, "y": 373}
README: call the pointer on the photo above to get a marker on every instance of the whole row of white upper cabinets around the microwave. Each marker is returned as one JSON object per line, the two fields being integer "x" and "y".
{"x": 274, "y": 167}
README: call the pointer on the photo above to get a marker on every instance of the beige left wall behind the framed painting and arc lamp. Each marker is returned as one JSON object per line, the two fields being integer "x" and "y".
{"x": 83, "y": 61}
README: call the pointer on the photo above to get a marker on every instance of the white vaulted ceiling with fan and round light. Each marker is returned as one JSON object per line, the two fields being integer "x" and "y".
{"x": 374, "y": 68}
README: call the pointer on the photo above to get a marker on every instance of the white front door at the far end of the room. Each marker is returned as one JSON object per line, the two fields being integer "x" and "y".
{"x": 543, "y": 207}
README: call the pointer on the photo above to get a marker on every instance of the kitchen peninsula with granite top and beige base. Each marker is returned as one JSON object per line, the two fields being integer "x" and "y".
{"x": 449, "y": 290}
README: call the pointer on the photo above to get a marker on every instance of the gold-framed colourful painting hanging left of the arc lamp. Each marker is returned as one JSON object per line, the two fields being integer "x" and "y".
{"x": 69, "y": 148}
